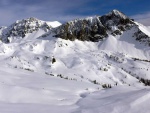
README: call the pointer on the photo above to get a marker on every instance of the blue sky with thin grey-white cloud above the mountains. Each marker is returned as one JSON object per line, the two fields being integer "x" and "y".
{"x": 65, "y": 10}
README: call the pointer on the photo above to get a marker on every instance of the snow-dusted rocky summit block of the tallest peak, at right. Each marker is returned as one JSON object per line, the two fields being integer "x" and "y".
{"x": 116, "y": 22}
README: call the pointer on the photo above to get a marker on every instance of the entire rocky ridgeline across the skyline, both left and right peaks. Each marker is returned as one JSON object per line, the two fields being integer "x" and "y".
{"x": 89, "y": 29}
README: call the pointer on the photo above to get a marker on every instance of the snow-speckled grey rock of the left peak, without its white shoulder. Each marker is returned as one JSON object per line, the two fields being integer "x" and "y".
{"x": 22, "y": 27}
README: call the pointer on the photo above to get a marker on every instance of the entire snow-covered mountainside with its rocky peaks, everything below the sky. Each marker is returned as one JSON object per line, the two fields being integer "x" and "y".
{"x": 57, "y": 66}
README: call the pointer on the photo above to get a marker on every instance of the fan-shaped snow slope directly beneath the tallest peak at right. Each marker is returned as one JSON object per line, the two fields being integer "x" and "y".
{"x": 127, "y": 44}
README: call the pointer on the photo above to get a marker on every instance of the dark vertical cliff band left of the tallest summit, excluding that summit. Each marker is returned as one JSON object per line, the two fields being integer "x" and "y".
{"x": 90, "y": 29}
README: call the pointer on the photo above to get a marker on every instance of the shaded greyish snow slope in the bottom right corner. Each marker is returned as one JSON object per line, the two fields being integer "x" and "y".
{"x": 116, "y": 100}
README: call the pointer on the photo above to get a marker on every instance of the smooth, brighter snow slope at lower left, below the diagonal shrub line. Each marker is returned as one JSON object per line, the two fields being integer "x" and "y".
{"x": 23, "y": 92}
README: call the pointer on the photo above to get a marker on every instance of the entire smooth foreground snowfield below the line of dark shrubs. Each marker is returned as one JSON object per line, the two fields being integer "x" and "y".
{"x": 29, "y": 92}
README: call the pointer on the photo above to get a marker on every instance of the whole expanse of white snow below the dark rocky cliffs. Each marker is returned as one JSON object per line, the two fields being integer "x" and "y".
{"x": 33, "y": 82}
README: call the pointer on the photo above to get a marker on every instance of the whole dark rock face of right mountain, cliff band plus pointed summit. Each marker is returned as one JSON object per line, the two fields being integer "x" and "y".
{"x": 95, "y": 28}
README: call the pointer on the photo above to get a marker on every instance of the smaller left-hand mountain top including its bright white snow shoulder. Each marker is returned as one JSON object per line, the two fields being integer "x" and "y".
{"x": 21, "y": 28}
